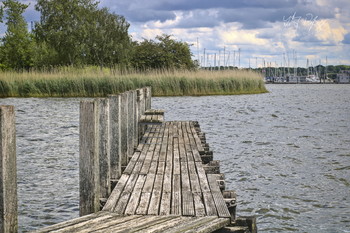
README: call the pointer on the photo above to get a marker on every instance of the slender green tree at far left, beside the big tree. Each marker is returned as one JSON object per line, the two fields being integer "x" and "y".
{"x": 17, "y": 44}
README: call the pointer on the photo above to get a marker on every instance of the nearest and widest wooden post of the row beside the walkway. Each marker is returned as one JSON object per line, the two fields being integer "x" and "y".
{"x": 89, "y": 161}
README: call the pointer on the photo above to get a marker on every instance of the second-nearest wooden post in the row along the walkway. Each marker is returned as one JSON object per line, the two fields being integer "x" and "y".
{"x": 104, "y": 148}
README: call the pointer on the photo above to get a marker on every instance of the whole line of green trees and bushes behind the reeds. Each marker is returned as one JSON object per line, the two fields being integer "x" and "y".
{"x": 79, "y": 33}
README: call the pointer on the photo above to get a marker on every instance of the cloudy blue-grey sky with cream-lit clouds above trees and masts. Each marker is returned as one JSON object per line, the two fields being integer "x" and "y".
{"x": 243, "y": 32}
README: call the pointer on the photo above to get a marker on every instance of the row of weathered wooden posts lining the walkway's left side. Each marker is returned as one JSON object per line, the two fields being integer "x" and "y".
{"x": 109, "y": 134}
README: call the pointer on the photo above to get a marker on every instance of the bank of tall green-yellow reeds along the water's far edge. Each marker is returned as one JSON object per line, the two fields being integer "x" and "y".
{"x": 93, "y": 82}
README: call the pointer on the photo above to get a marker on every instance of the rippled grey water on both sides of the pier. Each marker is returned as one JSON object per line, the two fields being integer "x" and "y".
{"x": 286, "y": 153}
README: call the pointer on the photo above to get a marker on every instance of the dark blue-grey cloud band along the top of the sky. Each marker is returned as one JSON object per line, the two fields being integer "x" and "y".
{"x": 251, "y": 14}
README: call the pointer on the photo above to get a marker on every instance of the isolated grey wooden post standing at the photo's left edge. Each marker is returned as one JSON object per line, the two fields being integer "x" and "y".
{"x": 8, "y": 172}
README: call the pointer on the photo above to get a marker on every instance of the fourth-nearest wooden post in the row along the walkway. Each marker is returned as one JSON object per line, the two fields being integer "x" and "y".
{"x": 124, "y": 129}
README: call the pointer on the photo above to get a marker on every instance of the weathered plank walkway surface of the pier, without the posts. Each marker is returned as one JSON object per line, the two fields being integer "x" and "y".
{"x": 165, "y": 176}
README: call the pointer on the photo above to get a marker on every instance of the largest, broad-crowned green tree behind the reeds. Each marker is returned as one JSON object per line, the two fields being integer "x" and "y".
{"x": 82, "y": 34}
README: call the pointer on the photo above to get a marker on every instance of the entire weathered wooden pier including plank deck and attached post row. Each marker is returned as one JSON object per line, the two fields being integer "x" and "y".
{"x": 139, "y": 173}
